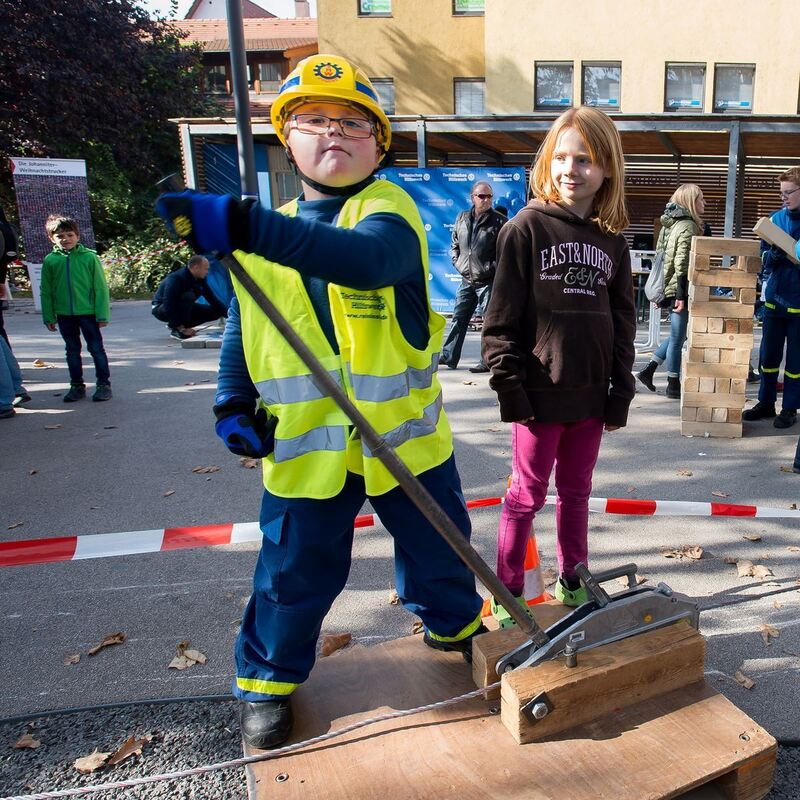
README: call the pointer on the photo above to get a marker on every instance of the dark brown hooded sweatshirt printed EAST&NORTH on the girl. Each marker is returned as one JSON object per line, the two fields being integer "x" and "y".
{"x": 558, "y": 334}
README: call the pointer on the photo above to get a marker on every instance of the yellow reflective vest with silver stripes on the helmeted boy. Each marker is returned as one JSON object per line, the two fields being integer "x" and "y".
{"x": 392, "y": 383}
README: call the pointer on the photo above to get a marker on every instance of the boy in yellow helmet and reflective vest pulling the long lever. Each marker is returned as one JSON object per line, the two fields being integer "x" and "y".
{"x": 347, "y": 265}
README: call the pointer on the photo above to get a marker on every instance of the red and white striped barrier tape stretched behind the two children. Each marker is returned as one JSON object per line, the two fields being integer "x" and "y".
{"x": 104, "y": 545}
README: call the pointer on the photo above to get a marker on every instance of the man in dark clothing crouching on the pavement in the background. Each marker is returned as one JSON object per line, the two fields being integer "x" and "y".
{"x": 175, "y": 301}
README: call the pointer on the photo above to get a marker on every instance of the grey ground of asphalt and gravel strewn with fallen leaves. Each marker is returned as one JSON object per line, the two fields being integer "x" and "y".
{"x": 126, "y": 465}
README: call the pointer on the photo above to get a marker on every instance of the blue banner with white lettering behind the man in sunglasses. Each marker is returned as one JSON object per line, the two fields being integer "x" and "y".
{"x": 441, "y": 194}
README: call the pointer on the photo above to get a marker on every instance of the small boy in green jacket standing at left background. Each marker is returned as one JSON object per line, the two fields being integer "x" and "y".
{"x": 75, "y": 299}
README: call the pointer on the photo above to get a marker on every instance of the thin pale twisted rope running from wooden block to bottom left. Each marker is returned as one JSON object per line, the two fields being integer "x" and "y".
{"x": 240, "y": 762}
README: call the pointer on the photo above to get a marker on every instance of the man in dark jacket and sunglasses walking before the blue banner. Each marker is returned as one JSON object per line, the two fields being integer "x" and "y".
{"x": 473, "y": 251}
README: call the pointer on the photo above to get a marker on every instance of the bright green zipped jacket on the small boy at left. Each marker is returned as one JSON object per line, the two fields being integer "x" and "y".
{"x": 73, "y": 283}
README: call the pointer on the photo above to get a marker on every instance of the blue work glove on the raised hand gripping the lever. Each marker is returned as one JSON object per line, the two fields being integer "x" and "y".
{"x": 204, "y": 221}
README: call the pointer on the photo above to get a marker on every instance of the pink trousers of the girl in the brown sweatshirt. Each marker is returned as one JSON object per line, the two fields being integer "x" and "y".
{"x": 573, "y": 448}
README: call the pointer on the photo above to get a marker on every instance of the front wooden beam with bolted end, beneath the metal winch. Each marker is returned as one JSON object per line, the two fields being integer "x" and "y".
{"x": 628, "y": 671}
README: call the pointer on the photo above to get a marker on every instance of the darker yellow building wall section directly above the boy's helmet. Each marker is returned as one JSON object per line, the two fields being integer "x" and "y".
{"x": 422, "y": 46}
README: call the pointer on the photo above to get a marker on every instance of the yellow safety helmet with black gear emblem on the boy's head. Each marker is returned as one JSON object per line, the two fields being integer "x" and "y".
{"x": 329, "y": 78}
